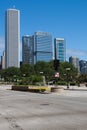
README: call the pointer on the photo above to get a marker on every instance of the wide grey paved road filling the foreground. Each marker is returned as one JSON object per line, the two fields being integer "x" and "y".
{"x": 33, "y": 111}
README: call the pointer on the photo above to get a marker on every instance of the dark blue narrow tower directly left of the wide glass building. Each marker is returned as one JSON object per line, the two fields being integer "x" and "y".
{"x": 27, "y": 49}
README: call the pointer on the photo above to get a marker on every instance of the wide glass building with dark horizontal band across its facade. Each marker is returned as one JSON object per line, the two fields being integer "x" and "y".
{"x": 43, "y": 49}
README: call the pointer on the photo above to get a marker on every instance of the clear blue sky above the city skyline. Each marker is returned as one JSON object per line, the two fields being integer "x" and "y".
{"x": 63, "y": 18}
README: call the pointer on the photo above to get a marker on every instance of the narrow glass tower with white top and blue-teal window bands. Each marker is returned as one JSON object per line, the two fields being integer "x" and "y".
{"x": 59, "y": 49}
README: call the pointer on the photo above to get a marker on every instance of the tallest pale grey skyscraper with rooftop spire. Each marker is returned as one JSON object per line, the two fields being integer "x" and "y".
{"x": 12, "y": 38}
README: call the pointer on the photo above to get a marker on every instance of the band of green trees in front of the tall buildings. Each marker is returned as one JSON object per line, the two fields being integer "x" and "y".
{"x": 32, "y": 74}
